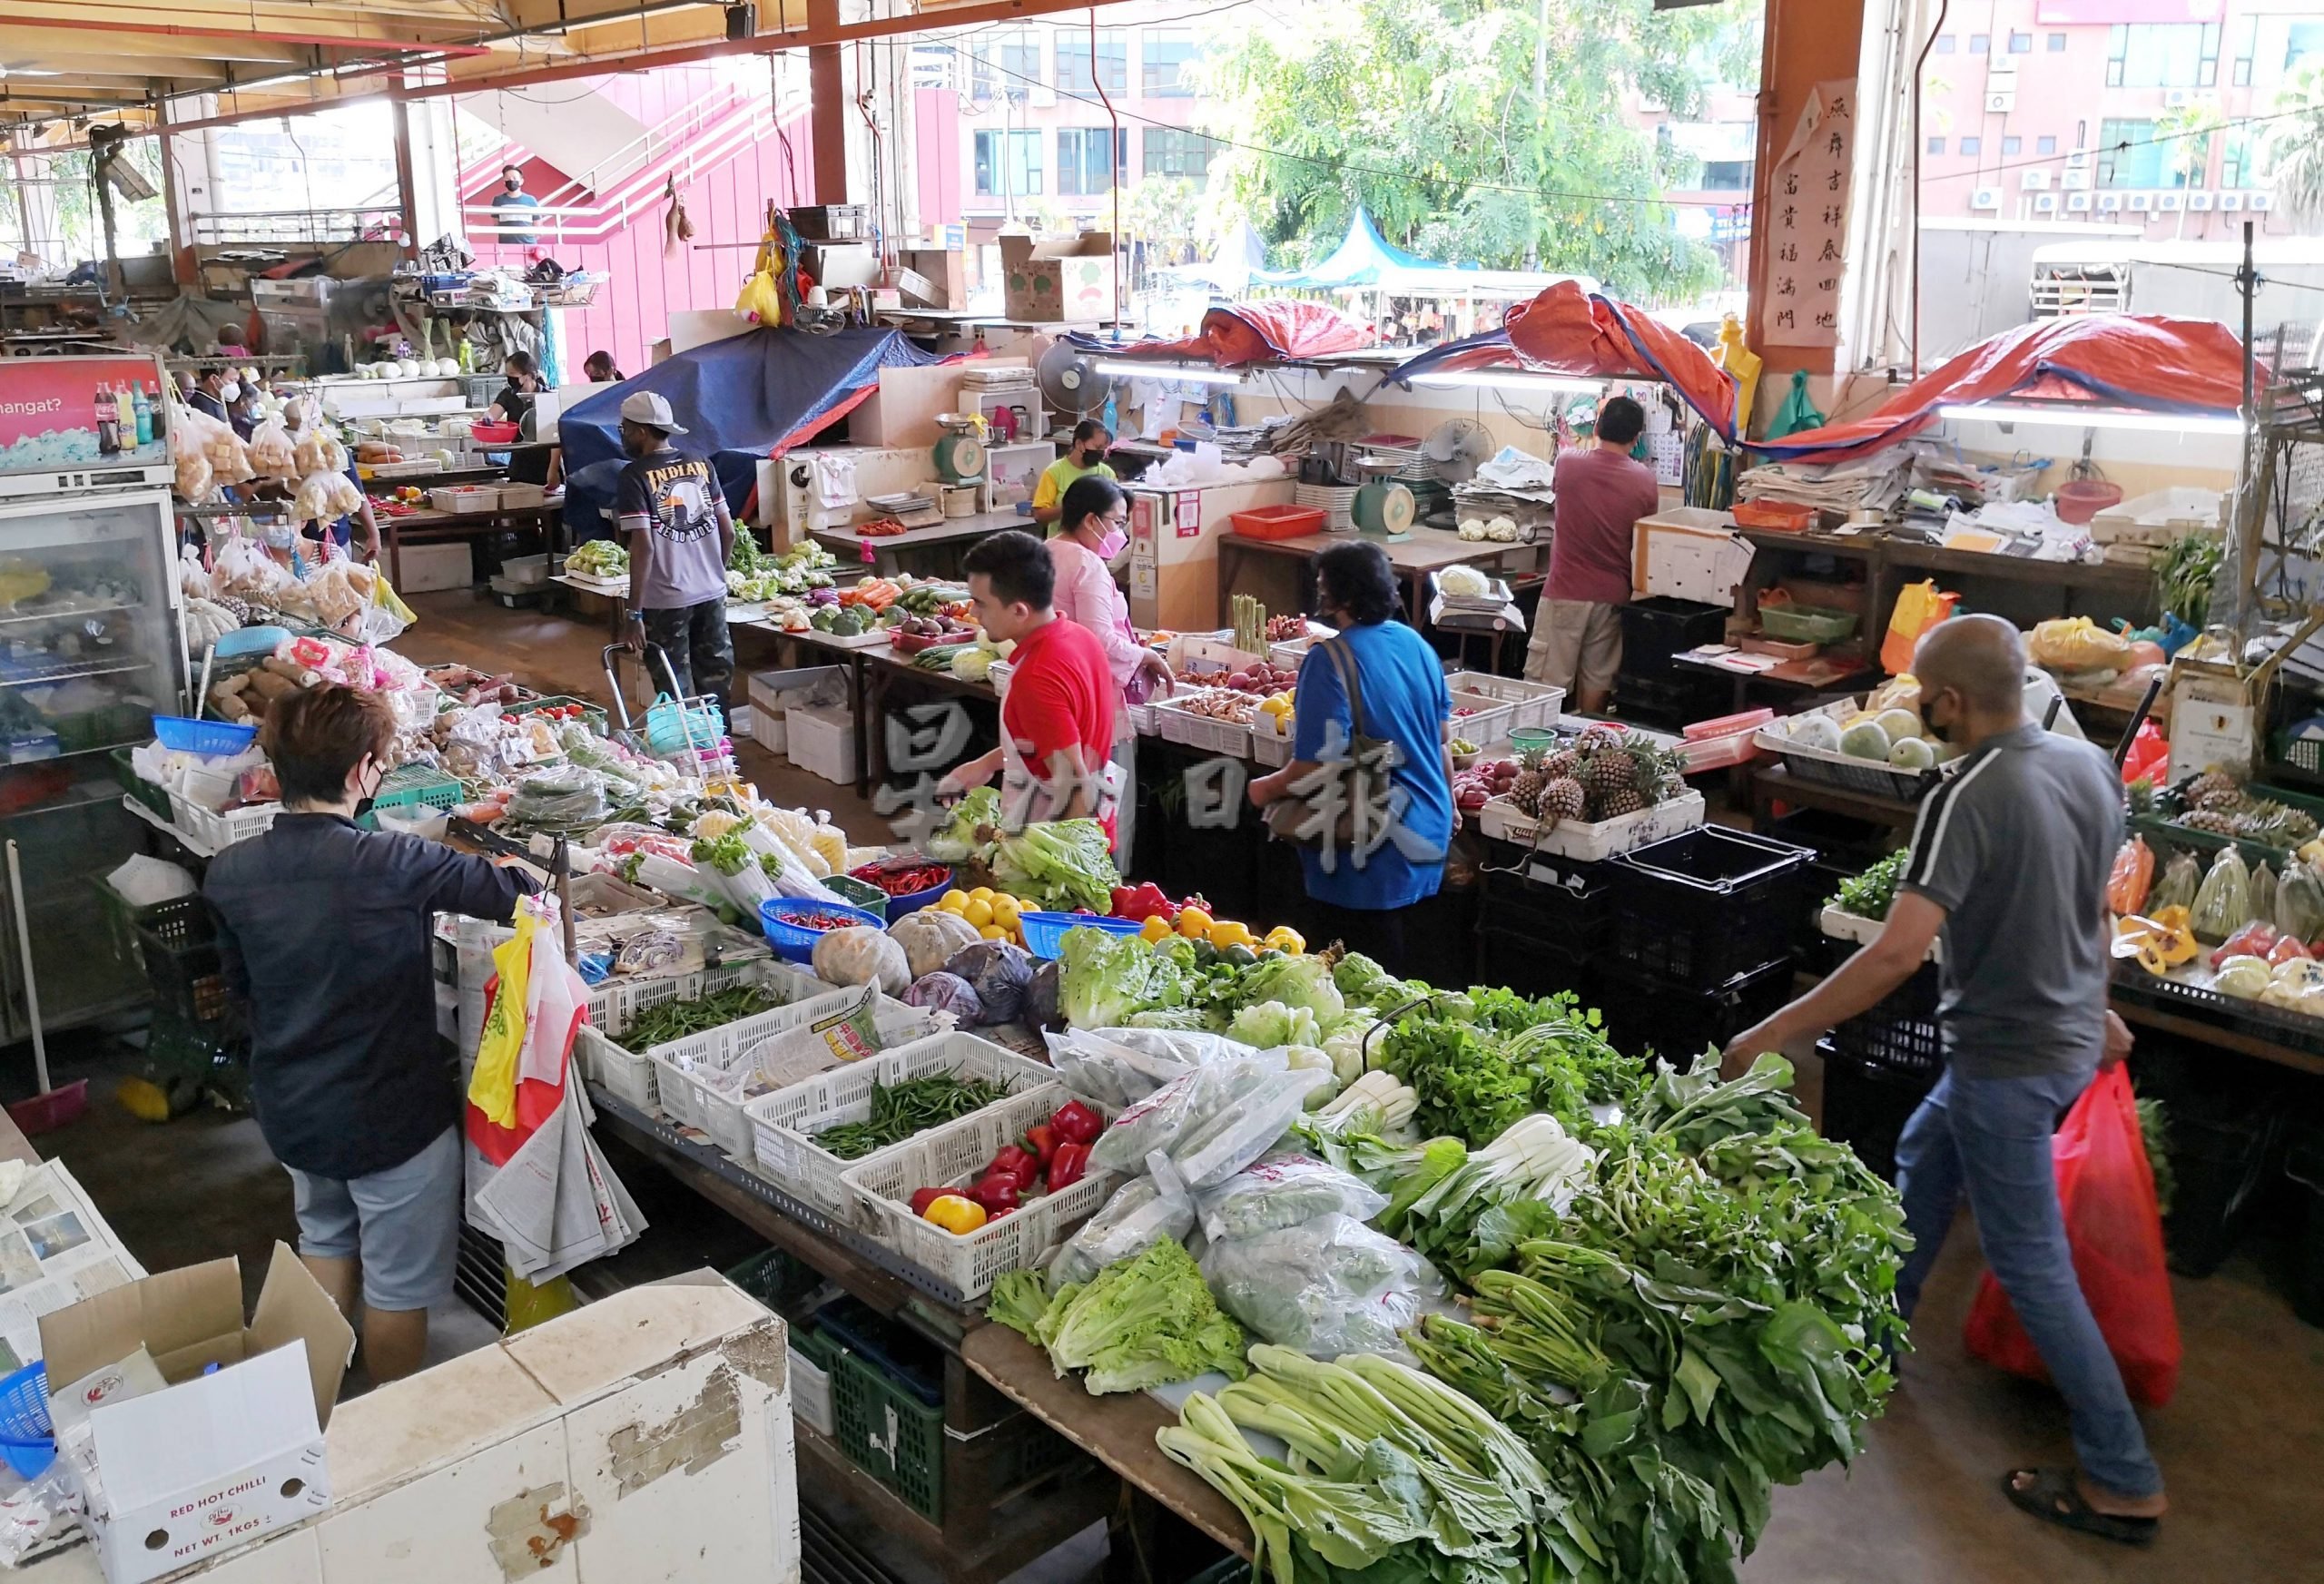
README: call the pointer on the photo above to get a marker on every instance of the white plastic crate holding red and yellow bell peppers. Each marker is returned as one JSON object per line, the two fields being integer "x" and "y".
{"x": 949, "y": 1158}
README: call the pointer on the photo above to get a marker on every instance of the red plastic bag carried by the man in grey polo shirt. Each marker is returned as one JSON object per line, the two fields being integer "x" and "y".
{"x": 2116, "y": 1232}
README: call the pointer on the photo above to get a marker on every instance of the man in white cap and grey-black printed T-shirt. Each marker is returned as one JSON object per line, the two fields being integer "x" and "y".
{"x": 675, "y": 521}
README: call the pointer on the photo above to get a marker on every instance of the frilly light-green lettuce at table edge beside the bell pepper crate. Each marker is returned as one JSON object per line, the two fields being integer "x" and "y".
{"x": 1140, "y": 1323}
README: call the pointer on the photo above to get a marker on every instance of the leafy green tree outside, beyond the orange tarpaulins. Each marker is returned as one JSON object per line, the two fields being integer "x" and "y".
{"x": 1428, "y": 115}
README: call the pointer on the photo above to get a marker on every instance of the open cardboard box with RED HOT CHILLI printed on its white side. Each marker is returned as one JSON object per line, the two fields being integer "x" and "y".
{"x": 222, "y": 1457}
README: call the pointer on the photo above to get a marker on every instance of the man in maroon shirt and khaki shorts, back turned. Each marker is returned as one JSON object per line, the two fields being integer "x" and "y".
{"x": 1600, "y": 498}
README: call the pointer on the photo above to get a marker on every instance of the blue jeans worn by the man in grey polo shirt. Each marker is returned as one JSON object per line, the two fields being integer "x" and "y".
{"x": 1993, "y": 1139}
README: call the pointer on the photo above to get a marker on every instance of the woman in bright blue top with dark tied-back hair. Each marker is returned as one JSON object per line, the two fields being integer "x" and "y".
{"x": 1379, "y": 682}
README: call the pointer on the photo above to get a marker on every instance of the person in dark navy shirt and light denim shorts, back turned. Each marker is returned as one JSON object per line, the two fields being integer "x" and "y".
{"x": 347, "y": 1081}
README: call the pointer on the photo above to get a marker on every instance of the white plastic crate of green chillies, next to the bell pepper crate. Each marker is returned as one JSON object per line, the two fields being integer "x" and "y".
{"x": 784, "y": 1125}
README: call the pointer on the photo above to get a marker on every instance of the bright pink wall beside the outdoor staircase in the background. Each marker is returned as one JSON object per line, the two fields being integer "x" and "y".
{"x": 726, "y": 206}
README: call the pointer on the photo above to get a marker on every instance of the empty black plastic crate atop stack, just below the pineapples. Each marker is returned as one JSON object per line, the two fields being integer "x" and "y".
{"x": 1707, "y": 907}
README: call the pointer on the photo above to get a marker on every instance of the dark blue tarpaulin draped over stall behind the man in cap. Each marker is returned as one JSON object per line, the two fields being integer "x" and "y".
{"x": 747, "y": 398}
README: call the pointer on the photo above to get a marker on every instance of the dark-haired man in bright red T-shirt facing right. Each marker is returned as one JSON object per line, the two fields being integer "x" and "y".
{"x": 1059, "y": 707}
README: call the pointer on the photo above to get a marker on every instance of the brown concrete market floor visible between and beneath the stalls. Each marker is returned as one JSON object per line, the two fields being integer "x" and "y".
{"x": 2241, "y": 1443}
